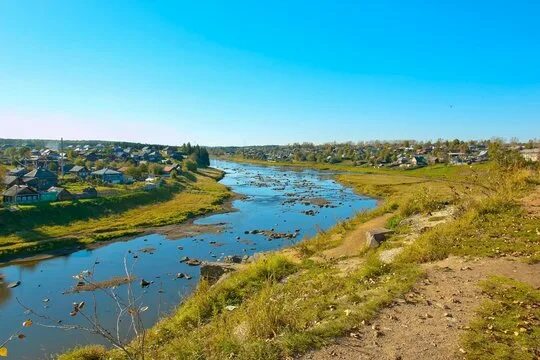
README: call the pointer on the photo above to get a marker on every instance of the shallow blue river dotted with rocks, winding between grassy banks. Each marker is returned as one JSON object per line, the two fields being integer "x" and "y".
{"x": 274, "y": 198}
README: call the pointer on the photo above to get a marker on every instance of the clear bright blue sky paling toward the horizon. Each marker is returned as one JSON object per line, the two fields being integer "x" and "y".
{"x": 269, "y": 72}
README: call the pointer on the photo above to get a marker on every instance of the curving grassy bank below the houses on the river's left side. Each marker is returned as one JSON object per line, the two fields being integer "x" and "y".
{"x": 67, "y": 225}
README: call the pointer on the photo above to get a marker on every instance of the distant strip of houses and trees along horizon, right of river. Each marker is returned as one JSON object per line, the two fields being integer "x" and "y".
{"x": 402, "y": 154}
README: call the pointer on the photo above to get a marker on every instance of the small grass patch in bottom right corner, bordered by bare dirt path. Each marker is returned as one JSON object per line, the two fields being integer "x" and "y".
{"x": 507, "y": 326}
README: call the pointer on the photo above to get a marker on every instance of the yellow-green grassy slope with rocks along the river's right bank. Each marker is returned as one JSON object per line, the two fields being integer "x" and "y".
{"x": 290, "y": 302}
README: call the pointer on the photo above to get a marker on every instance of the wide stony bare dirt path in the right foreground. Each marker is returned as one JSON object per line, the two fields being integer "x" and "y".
{"x": 428, "y": 321}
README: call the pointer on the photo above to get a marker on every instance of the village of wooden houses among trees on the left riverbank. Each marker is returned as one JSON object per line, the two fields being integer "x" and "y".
{"x": 38, "y": 171}
